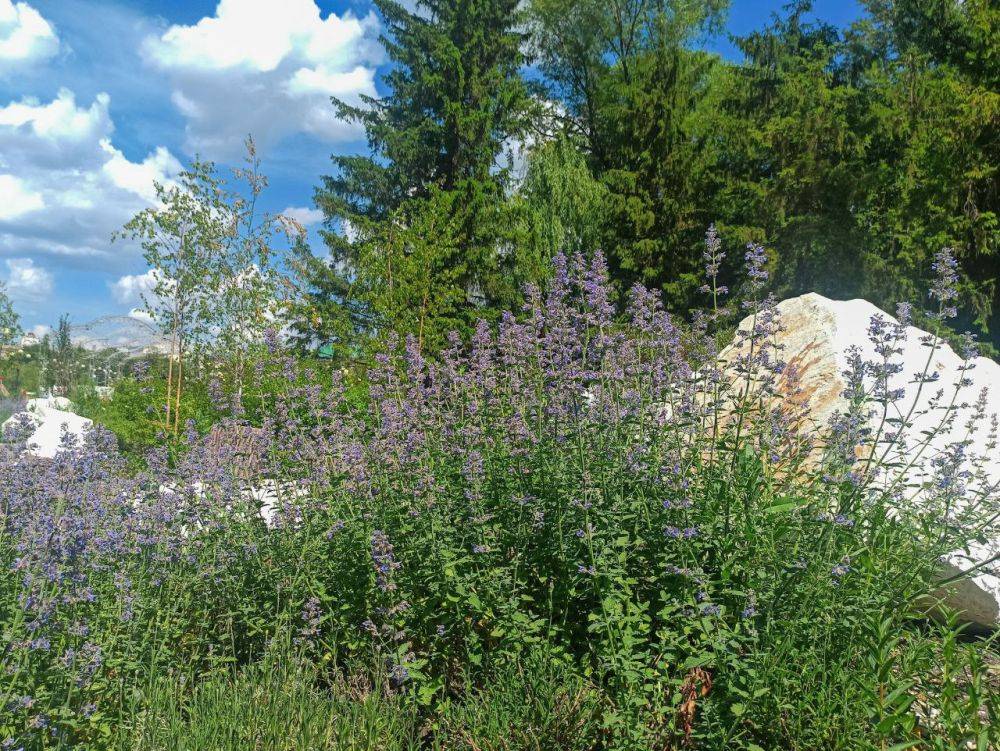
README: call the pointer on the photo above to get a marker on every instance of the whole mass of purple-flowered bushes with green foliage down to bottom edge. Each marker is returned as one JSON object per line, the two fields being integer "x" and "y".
{"x": 598, "y": 496}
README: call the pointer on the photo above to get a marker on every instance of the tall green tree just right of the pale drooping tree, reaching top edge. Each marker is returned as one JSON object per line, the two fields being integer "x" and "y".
{"x": 637, "y": 93}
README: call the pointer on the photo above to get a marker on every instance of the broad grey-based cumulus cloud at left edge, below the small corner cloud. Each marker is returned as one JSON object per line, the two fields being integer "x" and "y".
{"x": 64, "y": 187}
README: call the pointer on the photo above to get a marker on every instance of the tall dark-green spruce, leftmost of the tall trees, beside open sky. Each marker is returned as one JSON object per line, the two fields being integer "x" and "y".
{"x": 418, "y": 229}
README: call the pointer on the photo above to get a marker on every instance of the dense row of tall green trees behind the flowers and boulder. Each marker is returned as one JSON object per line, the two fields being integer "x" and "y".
{"x": 510, "y": 131}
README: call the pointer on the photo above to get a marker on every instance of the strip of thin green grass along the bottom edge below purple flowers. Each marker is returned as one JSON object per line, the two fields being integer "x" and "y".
{"x": 283, "y": 702}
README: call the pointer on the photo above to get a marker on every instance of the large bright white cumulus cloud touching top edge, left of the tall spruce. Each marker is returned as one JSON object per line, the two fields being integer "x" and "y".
{"x": 266, "y": 68}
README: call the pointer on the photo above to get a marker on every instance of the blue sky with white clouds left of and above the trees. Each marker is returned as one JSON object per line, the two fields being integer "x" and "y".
{"x": 100, "y": 97}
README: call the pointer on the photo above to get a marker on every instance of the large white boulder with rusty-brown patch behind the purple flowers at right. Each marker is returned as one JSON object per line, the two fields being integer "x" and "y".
{"x": 817, "y": 338}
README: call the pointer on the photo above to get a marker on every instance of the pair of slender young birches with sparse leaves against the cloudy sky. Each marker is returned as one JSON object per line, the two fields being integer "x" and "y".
{"x": 217, "y": 287}
